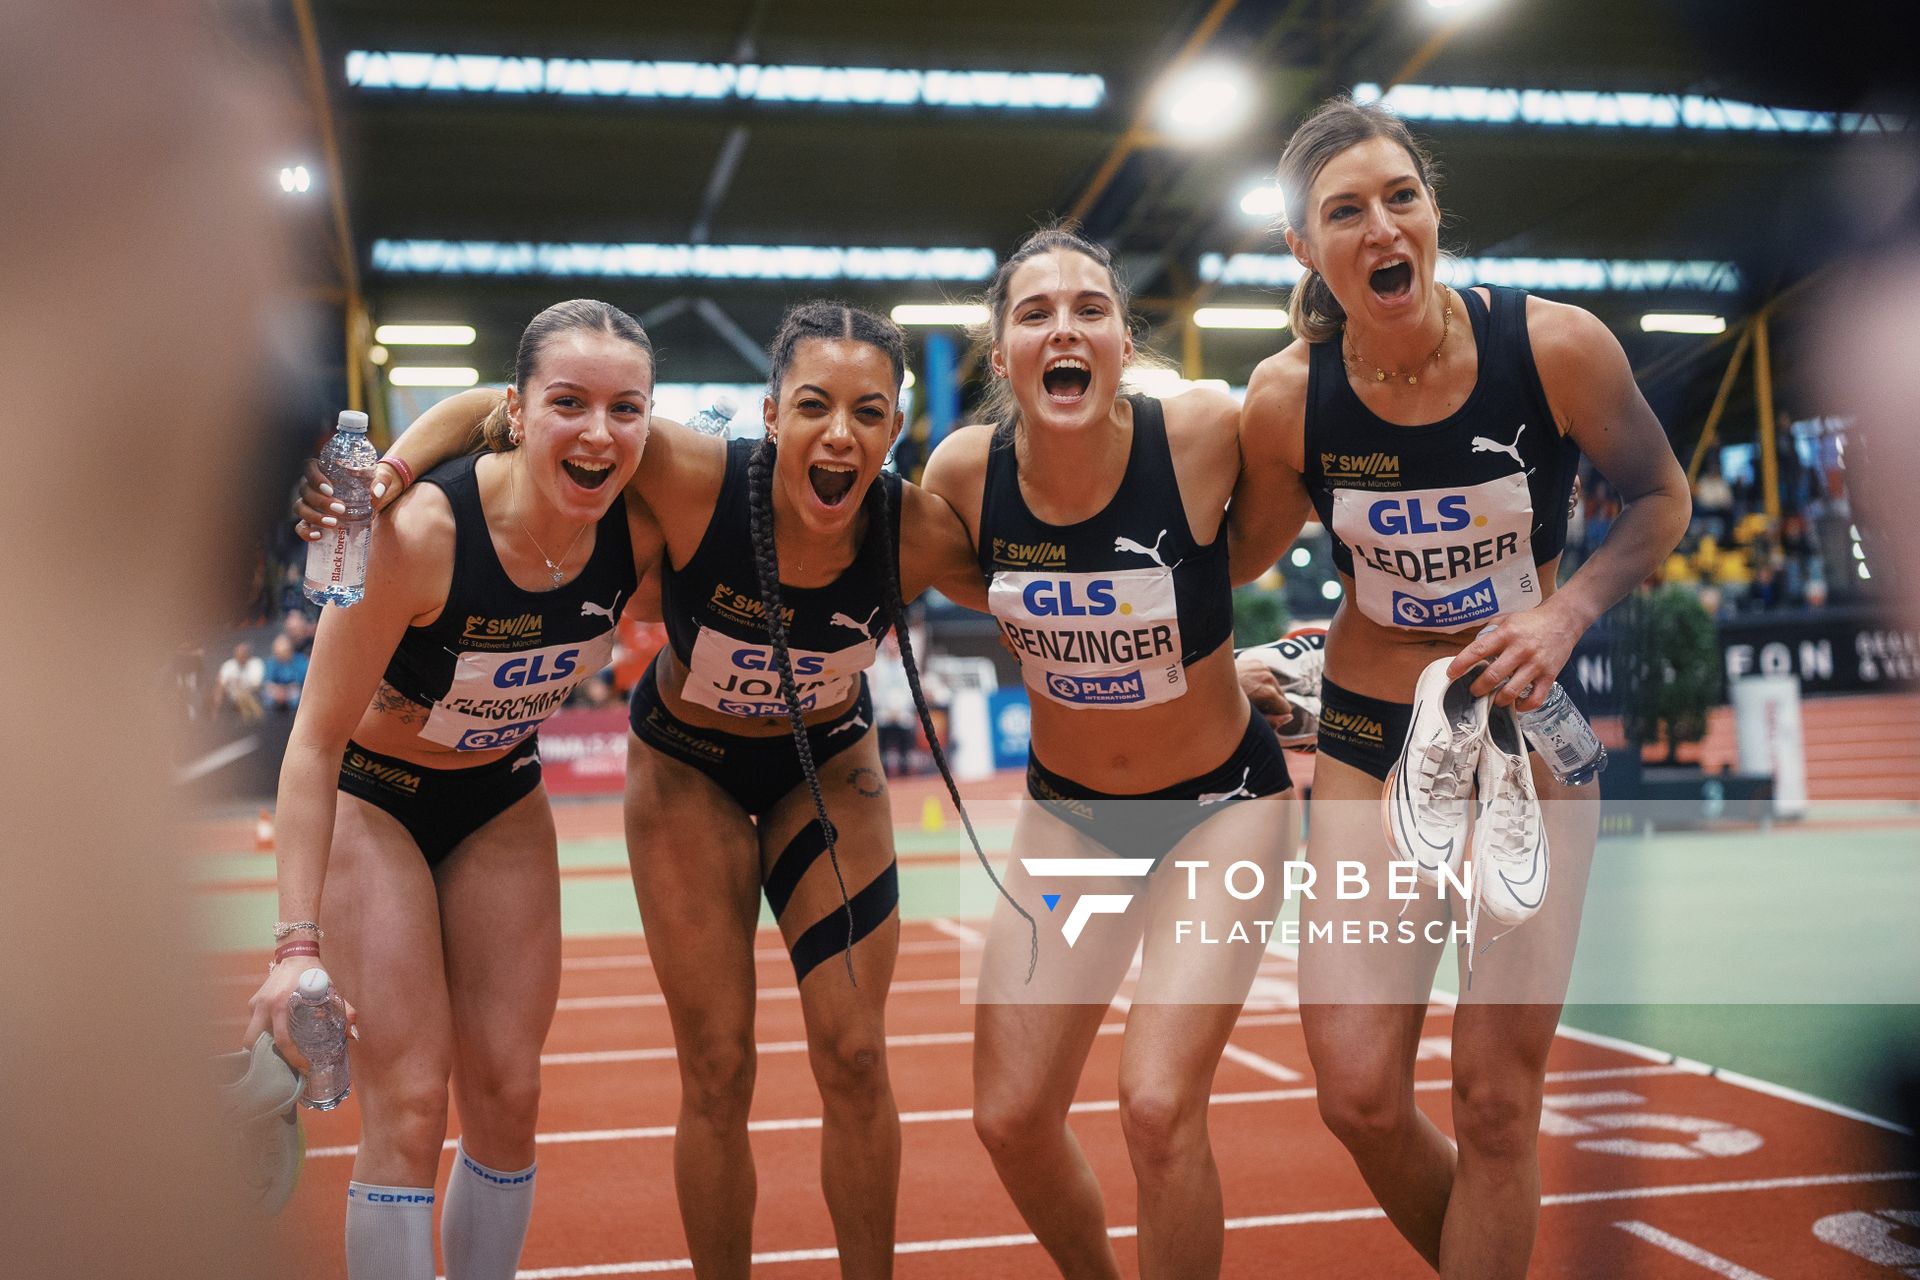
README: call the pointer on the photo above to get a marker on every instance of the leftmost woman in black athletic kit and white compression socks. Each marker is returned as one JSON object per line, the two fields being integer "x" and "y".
{"x": 418, "y": 851}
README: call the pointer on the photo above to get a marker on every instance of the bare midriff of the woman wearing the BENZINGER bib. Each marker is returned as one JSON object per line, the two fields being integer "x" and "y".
{"x": 1153, "y": 747}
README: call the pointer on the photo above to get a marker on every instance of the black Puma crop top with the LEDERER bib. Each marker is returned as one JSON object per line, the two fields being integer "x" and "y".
{"x": 1445, "y": 527}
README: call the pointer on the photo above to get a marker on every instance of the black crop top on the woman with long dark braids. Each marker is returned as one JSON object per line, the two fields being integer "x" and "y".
{"x": 717, "y": 621}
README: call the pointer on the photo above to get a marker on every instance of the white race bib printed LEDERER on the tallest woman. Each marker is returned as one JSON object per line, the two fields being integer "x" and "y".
{"x": 1441, "y": 559}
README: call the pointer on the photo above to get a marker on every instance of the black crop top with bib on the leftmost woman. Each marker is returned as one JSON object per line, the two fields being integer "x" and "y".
{"x": 502, "y": 659}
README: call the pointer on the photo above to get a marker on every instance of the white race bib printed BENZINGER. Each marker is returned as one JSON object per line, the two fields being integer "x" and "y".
{"x": 1093, "y": 640}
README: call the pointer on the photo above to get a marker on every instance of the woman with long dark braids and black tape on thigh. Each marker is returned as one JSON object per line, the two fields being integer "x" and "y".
{"x": 754, "y": 755}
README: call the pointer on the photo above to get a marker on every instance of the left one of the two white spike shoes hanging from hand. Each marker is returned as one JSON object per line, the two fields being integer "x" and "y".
{"x": 1429, "y": 792}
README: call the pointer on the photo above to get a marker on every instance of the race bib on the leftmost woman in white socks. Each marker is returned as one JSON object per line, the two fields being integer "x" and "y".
{"x": 500, "y": 698}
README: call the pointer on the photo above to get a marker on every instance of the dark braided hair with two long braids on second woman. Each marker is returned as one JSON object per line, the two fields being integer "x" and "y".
{"x": 840, "y": 321}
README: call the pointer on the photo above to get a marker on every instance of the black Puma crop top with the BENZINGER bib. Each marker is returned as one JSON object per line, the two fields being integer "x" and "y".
{"x": 1109, "y": 611}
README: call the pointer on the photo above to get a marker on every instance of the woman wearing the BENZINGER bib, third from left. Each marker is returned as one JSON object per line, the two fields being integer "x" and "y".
{"x": 1099, "y": 523}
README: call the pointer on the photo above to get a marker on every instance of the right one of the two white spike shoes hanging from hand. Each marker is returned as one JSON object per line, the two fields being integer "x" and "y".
{"x": 1510, "y": 836}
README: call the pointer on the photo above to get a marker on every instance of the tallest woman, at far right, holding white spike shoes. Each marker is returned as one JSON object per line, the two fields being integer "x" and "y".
{"x": 1441, "y": 456}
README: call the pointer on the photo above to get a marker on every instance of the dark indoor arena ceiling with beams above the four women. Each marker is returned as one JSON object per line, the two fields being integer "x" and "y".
{"x": 427, "y": 164}
